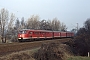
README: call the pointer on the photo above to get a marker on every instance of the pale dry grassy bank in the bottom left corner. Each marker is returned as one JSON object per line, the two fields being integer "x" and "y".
{"x": 22, "y": 55}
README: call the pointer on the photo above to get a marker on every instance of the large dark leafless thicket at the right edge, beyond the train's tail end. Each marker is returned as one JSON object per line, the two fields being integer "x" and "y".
{"x": 81, "y": 42}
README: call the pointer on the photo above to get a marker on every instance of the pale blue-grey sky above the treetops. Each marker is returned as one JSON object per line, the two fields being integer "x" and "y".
{"x": 70, "y": 12}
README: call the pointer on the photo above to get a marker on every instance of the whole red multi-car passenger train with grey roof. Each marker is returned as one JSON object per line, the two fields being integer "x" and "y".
{"x": 28, "y": 34}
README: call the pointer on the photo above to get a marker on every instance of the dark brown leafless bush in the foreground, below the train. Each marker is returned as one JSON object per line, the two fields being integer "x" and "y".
{"x": 53, "y": 51}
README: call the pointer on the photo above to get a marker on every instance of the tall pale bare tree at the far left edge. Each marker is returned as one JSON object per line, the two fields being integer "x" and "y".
{"x": 4, "y": 20}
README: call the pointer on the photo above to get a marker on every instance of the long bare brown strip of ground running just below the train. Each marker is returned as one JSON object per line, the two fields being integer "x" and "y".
{"x": 16, "y": 47}
